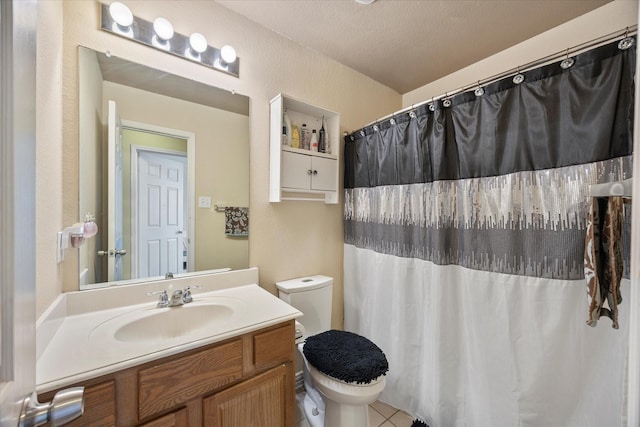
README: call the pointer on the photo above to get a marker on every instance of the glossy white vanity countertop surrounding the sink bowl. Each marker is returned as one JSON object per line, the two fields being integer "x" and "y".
{"x": 81, "y": 344}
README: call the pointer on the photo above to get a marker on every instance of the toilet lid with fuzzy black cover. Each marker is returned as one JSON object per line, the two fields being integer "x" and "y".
{"x": 345, "y": 356}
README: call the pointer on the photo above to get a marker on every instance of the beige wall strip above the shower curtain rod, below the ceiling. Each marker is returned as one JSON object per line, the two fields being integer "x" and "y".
{"x": 607, "y": 19}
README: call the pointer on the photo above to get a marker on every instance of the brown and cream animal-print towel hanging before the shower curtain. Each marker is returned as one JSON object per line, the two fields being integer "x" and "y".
{"x": 603, "y": 258}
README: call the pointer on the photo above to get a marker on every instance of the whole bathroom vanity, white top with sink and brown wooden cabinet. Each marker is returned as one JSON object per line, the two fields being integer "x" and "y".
{"x": 237, "y": 371}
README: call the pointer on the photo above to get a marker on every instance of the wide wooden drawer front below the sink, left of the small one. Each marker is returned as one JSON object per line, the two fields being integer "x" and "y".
{"x": 169, "y": 384}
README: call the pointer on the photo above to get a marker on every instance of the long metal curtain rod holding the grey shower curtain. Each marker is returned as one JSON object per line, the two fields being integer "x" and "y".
{"x": 628, "y": 31}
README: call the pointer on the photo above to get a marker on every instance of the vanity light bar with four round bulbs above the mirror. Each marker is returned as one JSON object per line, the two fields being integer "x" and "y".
{"x": 159, "y": 34}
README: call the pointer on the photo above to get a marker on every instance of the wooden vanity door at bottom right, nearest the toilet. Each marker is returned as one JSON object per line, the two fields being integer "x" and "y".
{"x": 266, "y": 400}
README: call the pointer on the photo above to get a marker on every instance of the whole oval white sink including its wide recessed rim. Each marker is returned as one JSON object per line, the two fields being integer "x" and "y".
{"x": 151, "y": 324}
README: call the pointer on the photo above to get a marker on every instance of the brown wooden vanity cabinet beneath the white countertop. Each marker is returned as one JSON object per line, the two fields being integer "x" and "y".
{"x": 246, "y": 380}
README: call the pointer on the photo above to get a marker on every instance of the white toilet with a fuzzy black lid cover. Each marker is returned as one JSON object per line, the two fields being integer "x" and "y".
{"x": 329, "y": 401}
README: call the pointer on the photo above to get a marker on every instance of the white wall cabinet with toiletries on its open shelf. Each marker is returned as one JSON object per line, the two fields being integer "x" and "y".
{"x": 304, "y": 151}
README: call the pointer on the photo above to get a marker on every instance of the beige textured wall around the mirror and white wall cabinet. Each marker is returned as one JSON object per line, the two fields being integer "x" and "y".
{"x": 287, "y": 240}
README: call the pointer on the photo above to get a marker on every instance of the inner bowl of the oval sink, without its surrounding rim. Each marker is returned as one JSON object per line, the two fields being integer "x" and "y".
{"x": 164, "y": 323}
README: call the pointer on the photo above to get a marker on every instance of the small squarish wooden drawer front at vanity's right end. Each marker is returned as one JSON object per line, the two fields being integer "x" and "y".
{"x": 274, "y": 346}
